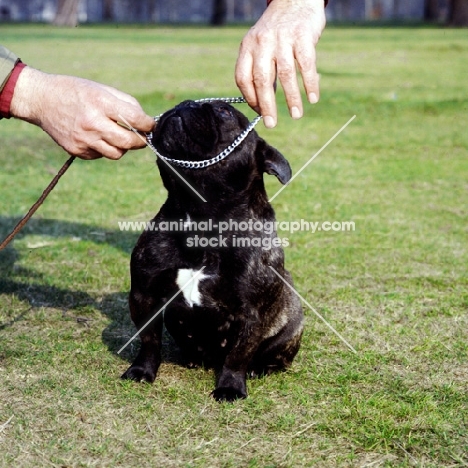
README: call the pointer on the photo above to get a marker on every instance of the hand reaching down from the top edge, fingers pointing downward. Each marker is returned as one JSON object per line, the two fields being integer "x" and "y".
{"x": 287, "y": 32}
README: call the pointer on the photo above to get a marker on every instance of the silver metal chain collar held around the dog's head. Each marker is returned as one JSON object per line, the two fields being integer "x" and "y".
{"x": 226, "y": 152}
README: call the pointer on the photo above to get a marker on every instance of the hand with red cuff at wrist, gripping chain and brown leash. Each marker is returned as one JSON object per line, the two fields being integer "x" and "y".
{"x": 80, "y": 115}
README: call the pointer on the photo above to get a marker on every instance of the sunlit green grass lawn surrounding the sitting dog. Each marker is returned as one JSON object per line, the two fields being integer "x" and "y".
{"x": 396, "y": 288}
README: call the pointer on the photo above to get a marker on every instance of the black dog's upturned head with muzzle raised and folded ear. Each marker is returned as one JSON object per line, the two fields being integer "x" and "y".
{"x": 195, "y": 131}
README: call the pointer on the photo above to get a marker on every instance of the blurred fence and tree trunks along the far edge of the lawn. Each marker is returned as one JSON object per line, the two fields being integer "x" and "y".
{"x": 219, "y": 12}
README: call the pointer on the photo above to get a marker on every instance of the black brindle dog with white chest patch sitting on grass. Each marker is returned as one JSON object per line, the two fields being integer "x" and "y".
{"x": 233, "y": 313}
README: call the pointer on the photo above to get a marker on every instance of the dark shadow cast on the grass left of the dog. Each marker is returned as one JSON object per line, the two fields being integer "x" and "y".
{"x": 37, "y": 293}
